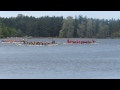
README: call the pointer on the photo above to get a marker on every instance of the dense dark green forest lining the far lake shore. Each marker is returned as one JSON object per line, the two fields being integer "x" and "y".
{"x": 59, "y": 27}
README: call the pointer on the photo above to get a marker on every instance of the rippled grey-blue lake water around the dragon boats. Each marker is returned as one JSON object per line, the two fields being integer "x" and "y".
{"x": 65, "y": 61}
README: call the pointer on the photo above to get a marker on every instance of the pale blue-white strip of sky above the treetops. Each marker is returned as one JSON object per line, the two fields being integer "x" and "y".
{"x": 89, "y": 14}
